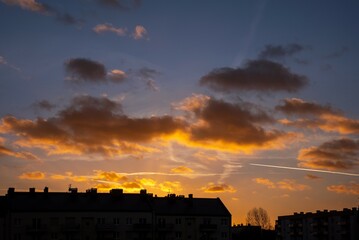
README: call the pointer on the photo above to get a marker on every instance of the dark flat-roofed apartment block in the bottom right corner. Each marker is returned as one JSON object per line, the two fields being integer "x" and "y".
{"x": 328, "y": 225}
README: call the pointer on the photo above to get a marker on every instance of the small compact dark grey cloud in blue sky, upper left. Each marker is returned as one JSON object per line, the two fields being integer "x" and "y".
{"x": 82, "y": 69}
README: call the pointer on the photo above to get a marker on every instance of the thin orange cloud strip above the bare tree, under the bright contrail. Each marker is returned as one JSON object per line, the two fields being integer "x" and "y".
{"x": 286, "y": 184}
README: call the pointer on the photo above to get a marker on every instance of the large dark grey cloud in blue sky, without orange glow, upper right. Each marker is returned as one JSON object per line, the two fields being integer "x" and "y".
{"x": 256, "y": 75}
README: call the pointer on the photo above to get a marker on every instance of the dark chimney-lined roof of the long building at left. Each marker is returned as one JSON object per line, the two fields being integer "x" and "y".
{"x": 116, "y": 200}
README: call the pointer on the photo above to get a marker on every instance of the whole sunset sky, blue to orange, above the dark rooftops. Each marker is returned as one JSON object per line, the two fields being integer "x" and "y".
{"x": 254, "y": 102}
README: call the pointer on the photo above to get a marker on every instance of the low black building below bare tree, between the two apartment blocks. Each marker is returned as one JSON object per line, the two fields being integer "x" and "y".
{"x": 249, "y": 232}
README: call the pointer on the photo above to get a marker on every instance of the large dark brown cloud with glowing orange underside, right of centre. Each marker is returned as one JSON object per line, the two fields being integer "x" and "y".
{"x": 232, "y": 123}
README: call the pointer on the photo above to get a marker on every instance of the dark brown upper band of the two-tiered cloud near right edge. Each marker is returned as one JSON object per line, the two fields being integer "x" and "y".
{"x": 296, "y": 106}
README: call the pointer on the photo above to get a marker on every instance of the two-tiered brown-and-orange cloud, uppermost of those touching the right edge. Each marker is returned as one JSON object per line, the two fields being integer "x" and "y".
{"x": 319, "y": 116}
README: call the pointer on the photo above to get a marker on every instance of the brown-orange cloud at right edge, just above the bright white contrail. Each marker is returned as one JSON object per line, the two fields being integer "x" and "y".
{"x": 337, "y": 154}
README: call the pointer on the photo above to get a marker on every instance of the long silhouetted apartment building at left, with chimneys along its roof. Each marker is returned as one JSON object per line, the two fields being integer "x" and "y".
{"x": 115, "y": 215}
